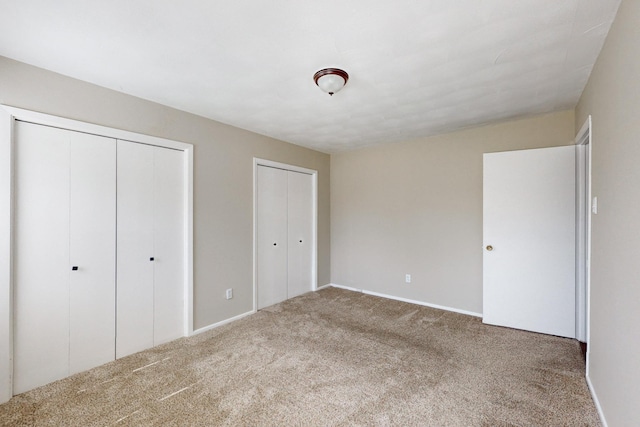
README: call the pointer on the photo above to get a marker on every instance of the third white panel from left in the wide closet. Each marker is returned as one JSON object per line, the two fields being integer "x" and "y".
{"x": 135, "y": 248}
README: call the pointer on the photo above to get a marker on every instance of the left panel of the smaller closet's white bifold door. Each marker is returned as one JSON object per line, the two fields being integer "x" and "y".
{"x": 272, "y": 236}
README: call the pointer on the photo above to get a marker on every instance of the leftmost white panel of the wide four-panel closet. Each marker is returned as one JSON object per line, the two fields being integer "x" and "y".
{"x": 41, "y": 268}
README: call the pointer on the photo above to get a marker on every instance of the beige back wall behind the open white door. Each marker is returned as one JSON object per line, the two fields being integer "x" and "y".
{"x": 416, "y": 208}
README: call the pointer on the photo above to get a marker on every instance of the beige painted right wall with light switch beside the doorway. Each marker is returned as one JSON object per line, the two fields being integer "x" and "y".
{"x": 612, "y": 97}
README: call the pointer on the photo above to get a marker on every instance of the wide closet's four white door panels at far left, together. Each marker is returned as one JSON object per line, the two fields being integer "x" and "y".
{"x": 99, "y": 250}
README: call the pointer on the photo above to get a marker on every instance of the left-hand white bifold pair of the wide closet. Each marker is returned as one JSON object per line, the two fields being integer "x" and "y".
{"x": 64, "y": 268}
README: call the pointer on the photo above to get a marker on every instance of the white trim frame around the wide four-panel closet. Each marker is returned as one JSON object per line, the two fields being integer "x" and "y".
{"x": 8, "y": 116}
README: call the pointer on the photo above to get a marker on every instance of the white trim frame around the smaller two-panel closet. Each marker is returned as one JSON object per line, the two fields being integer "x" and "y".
{"x": 314, "y": 244}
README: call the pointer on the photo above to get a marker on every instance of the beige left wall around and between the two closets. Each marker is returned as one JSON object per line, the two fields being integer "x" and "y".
{"x": 223, "y": 176}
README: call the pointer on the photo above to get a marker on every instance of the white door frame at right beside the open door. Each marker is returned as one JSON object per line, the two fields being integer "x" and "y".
{"x": 583, "y": 144}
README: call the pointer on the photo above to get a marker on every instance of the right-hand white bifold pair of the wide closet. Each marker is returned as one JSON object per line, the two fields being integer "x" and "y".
{"x": 150, "y": 236}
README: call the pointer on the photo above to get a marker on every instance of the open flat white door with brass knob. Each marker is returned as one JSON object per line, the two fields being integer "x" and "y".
{"x": 529, "y": 239}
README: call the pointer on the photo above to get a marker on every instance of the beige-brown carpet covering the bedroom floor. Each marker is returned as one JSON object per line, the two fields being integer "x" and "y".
{"x": 330, "y": 358}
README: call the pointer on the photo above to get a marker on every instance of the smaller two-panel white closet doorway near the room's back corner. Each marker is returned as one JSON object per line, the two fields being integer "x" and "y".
{"x": 285, "y": 232}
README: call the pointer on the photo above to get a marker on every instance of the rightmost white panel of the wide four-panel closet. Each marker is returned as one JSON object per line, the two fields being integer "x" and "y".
{"x": 168, "y": 245}
